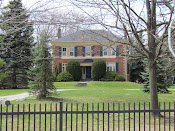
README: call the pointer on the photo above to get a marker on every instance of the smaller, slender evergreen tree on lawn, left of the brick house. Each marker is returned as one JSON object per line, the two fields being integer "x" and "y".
{"x": 42, "y": 70}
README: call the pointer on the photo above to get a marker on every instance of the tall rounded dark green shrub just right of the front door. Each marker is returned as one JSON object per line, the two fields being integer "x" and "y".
{"x": 98, "y": 69}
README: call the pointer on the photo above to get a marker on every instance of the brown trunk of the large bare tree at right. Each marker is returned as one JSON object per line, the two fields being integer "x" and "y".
{"x": 152, "y": 45}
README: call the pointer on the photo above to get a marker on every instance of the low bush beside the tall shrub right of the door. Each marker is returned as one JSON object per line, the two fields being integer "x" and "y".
{"x": 109, "y": 76}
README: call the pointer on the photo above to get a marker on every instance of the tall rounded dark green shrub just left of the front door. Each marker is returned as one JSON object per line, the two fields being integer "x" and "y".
{"x": 73, "y": 67}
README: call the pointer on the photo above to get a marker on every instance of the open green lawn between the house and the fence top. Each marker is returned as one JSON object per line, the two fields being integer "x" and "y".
{"x": 99, "y": 92}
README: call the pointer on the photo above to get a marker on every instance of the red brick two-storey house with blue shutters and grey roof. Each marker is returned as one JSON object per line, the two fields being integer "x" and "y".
{"x": 87, "y": 46}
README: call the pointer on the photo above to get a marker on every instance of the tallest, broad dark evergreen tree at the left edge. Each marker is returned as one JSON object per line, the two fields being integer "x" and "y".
{"x": 17, "y": 44}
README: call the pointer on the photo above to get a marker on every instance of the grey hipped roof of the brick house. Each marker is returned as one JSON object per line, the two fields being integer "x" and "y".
{"x": 88, "y": 35}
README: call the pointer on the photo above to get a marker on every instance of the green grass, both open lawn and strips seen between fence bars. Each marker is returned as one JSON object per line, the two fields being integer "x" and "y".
{"x": 94, "y": 92}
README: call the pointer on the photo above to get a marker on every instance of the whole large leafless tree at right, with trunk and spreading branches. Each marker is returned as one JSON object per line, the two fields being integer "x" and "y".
{"x": 149, "y": 17}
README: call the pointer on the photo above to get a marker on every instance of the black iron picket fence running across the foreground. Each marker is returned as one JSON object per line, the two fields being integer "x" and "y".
{"x": 87, "y": 117}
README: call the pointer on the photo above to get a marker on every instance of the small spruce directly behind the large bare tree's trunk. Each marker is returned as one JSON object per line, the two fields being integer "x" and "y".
{"x": 162, "y": 77}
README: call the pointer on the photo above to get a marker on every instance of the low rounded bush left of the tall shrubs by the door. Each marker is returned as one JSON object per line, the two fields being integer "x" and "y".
{"x": 64, "y": 76}
